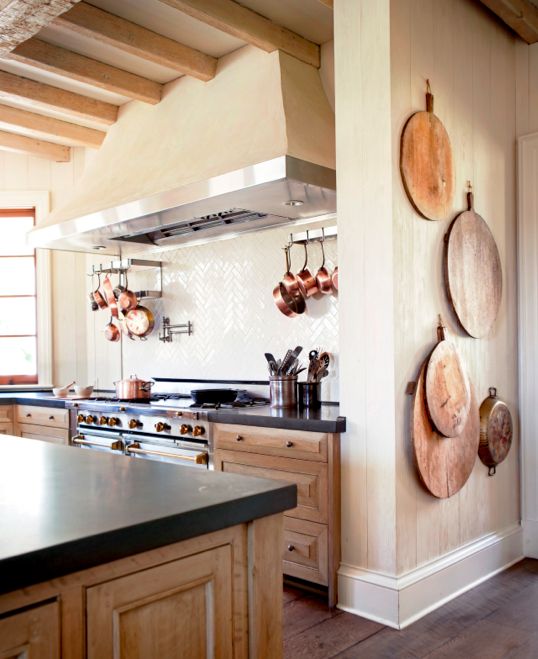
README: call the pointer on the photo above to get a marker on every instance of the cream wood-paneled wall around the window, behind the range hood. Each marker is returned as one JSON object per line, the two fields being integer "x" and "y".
{"x": 20, "y": 172}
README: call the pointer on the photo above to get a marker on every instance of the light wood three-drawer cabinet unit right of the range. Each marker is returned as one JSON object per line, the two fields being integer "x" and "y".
{"x": 311, "y": 546}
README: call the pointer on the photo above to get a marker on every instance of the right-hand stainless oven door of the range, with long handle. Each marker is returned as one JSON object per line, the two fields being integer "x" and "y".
{"x": 188, "y": 454}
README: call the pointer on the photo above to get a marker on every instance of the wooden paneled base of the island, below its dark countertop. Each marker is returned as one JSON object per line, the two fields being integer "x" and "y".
{"x": 218, "y": 595}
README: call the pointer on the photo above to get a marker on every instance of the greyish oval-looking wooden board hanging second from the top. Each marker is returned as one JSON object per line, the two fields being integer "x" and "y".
{"x": 473, "y": 272}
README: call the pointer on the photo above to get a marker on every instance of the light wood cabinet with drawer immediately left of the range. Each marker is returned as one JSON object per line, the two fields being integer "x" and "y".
{"x": 49, "y": 424}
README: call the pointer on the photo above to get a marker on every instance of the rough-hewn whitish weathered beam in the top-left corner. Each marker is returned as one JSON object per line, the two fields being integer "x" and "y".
{"x": 21, "y": 19}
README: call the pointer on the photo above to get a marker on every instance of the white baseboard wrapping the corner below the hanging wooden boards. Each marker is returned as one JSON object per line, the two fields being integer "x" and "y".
{"x": 400, "y": 601}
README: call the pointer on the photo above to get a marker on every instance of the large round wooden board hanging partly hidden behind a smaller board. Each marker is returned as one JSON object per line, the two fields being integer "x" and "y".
{"x": 444, "y": 463}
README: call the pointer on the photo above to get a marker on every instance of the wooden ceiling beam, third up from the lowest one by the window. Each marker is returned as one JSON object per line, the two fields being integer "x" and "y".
{"x": 46, "y": 97}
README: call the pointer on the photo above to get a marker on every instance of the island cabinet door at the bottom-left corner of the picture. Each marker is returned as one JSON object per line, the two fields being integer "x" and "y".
{"x": 33, "y": 634}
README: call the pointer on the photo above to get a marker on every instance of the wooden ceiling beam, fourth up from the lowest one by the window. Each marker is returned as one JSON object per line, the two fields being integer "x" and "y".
{"x": 45, "y": 56}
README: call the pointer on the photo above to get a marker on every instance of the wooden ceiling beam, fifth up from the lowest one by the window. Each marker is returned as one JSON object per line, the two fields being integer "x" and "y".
{"x": 130, "y": 38}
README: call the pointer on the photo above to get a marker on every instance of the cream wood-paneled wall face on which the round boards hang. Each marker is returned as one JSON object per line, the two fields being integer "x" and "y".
{"x": 470, "y": 59}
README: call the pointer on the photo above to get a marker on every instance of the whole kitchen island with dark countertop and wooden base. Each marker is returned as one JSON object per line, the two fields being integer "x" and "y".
{"x": 102, "y": 555}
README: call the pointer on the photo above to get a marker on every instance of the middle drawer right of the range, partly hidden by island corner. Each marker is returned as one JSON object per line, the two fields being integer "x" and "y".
{"x": 310, "y": 478}
